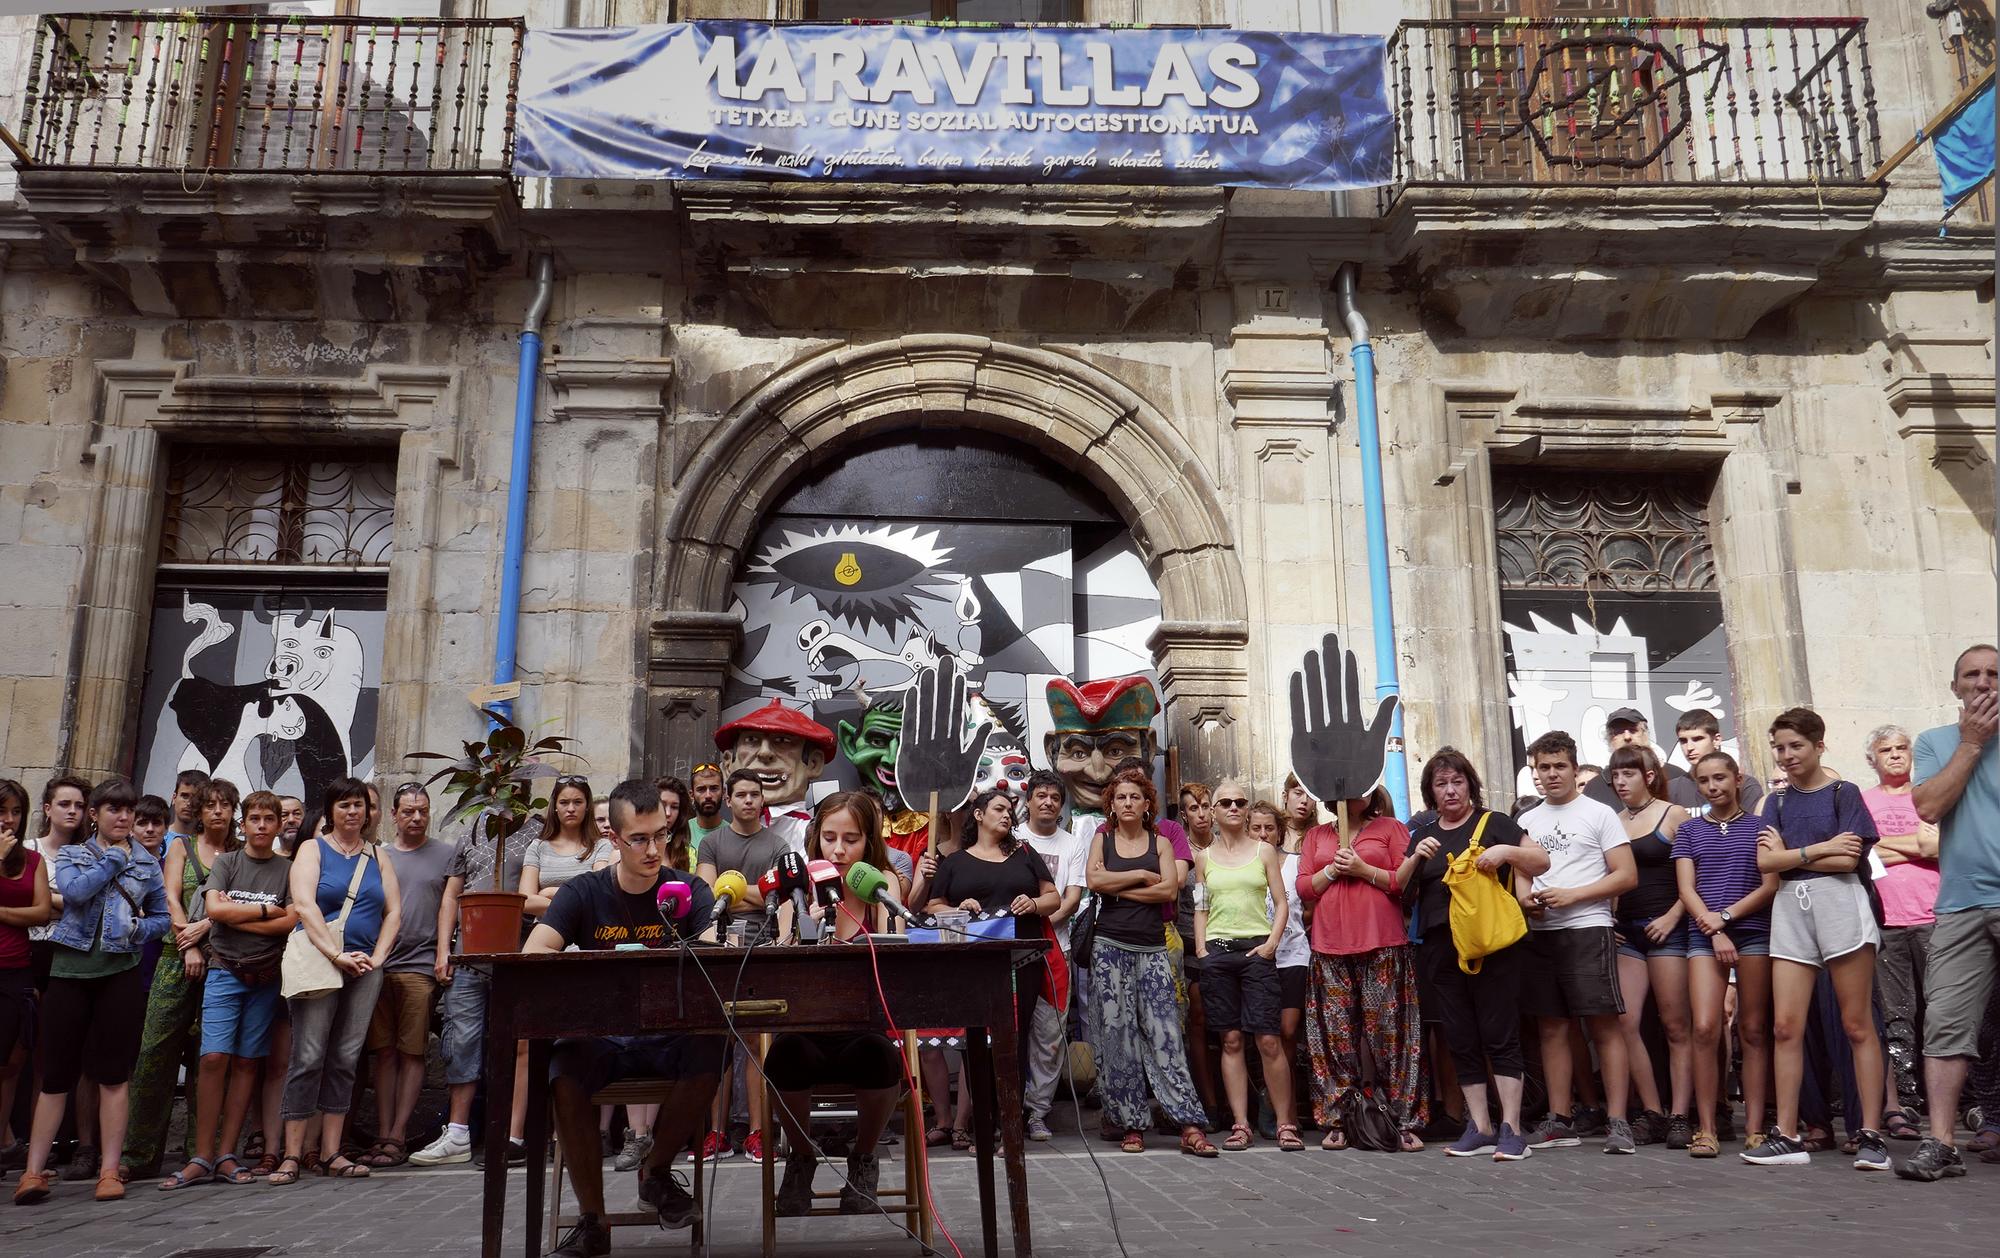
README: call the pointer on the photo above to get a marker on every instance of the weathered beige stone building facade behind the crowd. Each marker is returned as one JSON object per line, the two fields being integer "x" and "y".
{"x": 1793, "y": 379}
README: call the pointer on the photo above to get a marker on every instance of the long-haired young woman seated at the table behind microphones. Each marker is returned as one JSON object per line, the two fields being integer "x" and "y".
{"x": 845, "y": 829}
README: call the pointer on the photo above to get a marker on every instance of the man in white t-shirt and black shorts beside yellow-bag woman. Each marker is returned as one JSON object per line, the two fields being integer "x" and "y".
{"x": 1575, "y": 961}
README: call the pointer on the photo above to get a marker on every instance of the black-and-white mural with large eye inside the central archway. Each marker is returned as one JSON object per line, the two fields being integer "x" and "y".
{"x": 841, "y": 615}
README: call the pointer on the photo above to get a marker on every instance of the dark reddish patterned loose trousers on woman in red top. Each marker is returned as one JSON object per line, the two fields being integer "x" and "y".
{"x": 1365, "y": 995}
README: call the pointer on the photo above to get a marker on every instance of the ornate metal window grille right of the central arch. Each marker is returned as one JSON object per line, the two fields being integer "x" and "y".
{"x": 1579, "y": 531}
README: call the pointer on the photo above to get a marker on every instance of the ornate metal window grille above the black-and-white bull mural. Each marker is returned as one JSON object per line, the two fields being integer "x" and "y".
{"x": 227, "y": 505}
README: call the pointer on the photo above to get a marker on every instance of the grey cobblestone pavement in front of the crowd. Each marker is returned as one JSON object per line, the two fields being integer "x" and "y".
{"x": 1245, "y": 1205}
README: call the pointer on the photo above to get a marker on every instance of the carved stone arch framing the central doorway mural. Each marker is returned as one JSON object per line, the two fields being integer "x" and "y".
{"x": 1063, "y": 407}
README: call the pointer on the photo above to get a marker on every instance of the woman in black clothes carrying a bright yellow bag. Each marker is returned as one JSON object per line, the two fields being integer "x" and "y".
{"x": 1475, "y": 997}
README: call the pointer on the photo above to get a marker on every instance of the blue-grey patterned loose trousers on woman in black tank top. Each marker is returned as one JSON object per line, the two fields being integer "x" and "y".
{"x": 1135, "y": 1029}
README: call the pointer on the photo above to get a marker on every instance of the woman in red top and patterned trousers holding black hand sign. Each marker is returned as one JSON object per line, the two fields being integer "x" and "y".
{"x": 1363, "y": 975}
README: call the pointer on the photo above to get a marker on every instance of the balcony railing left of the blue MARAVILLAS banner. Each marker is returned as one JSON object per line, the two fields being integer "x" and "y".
{"x": 235, "y": 93}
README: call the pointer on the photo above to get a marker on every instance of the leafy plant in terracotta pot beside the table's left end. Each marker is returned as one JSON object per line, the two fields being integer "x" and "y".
{"x": 493, "y": 783}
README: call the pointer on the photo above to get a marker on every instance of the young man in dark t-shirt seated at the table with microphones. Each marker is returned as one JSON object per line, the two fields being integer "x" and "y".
{"x": 601, "y": 911}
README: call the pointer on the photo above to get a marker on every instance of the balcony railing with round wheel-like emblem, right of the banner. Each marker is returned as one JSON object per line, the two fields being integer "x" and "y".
{"x": 1651, "y": 101}
